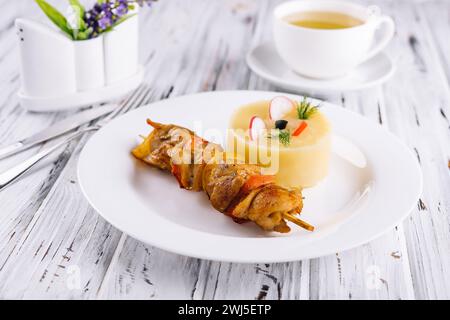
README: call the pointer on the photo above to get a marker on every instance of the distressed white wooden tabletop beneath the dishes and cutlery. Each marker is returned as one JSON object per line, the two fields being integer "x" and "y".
{"x": 54, "y": 245}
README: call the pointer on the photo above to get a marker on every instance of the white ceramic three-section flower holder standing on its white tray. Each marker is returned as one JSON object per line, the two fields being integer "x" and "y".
{"x": 53, "y": 65}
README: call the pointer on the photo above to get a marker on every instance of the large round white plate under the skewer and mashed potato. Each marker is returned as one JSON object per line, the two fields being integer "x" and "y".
{"x": 353, "y": 205}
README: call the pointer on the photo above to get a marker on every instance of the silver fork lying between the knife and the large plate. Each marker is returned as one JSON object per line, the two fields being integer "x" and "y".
{"x": 132, "y": 102}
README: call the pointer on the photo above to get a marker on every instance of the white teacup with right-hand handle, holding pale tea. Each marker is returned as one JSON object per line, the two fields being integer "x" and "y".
{"x": 329, "y": 53}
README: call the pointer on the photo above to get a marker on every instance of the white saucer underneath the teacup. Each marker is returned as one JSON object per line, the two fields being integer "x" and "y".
{"x": 265, "y": 62}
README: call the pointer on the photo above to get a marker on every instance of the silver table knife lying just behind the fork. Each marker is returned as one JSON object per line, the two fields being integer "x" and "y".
{"x": 56, "y": 130}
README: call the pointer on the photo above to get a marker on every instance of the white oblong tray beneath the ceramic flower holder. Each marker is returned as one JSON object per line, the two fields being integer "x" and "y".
{"x": 82, "y": 98}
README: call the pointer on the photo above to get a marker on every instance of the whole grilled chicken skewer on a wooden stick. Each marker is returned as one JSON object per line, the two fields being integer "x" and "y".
{"x": 238, "y": 190}
